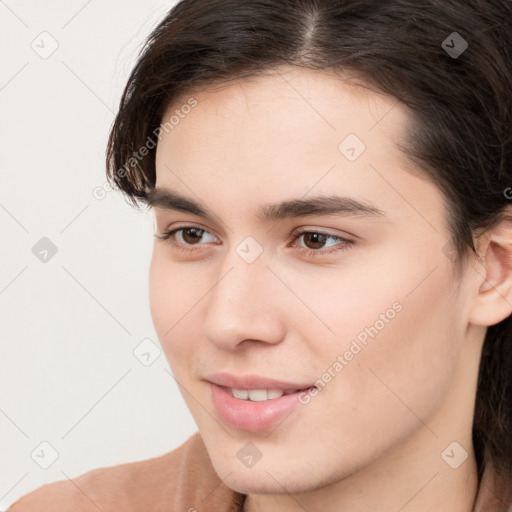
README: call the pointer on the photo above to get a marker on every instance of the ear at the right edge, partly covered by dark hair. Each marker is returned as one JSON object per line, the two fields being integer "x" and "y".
{"x": 493, "y": 273}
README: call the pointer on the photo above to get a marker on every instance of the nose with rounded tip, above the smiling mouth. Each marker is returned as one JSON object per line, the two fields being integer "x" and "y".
{"x": 243, "y": 305}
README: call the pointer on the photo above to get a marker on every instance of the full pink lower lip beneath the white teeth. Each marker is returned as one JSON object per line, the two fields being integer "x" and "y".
{"x": 252, "y": 416}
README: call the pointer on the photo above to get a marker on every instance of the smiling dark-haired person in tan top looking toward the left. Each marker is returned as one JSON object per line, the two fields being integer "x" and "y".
{"x": 331, "y": 277}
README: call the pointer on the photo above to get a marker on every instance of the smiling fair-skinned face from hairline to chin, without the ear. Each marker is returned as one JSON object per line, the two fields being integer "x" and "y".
{"x": 352, "y": 308}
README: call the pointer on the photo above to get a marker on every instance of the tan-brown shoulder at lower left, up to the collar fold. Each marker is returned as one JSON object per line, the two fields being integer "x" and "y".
{"x": 142, "y": 485}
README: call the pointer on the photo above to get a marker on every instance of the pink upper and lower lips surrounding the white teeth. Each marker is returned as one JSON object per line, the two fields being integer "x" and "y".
{"x": 246, "y": 414}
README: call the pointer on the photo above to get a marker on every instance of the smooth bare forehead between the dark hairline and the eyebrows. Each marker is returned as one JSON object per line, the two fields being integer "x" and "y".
{"x": 286, "y": 134}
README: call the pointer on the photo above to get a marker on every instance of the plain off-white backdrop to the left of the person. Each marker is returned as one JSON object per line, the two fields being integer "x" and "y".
{"x": 75, "y": 391}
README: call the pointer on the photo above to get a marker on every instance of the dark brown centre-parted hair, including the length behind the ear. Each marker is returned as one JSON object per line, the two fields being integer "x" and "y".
{"x": 460, "y": 137}
